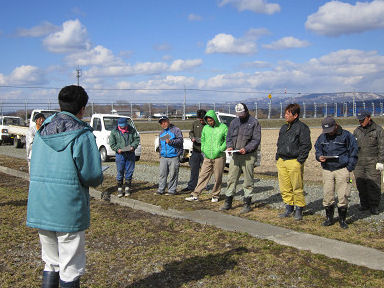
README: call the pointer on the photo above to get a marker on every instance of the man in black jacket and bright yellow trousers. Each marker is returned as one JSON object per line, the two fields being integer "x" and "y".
{"x": 293, "y": 146}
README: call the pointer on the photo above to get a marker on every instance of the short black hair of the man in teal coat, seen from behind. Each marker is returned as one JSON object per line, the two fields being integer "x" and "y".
{"x": 72, "y": 98}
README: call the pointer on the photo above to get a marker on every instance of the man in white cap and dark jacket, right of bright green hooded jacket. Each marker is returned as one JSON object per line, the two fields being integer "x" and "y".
{"x": 244, "y": 134}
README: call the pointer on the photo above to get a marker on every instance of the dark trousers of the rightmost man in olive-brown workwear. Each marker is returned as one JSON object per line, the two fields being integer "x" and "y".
{"x": 368, "y": 182}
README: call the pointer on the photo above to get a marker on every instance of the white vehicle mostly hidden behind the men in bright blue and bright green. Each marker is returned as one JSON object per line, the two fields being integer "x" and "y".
{"x": 188, "y": 144}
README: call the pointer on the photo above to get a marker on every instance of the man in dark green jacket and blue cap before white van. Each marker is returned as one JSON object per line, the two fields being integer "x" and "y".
{"x": 124, "y": 140}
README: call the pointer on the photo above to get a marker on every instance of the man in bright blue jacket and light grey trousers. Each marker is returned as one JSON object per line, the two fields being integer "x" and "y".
{"x": 171, "y": 147}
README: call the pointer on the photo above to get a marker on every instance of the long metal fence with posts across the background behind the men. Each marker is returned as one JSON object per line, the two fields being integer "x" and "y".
{"x": 262, "y": 110}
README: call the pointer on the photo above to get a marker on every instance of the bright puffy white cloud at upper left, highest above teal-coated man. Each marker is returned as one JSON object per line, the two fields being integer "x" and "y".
{"x": 71, "y": 38}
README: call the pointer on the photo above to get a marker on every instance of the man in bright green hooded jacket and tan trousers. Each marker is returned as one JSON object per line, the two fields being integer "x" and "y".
{"x": 212, "y": 146}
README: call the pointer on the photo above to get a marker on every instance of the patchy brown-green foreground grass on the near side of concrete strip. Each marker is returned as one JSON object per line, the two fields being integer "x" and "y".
{"x": 130, "y": 248}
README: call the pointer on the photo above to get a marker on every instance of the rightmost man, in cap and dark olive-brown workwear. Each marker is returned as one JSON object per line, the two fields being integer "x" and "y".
{"x": 370, "y": 139}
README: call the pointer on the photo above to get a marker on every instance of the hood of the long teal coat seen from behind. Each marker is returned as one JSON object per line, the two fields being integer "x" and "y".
{"x": 59, "y": 130}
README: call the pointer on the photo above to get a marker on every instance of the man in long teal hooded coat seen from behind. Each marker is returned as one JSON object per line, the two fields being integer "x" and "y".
{"x": 65, "y": 163}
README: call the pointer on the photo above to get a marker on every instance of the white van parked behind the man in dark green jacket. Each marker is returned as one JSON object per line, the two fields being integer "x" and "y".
{"x": 102, "y": 125}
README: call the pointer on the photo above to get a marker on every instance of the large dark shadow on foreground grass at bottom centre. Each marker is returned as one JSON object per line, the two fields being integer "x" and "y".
{"x": 177, "y": 273}
